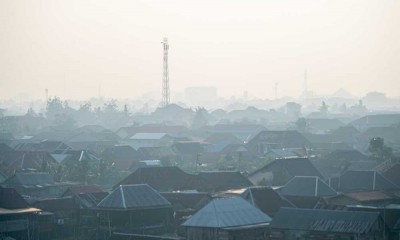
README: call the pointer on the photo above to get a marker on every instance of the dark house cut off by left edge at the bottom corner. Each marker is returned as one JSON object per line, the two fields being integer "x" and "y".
{"x": 17, "y": 218}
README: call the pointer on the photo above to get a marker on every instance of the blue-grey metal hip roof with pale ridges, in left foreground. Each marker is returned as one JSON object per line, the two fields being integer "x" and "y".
{"x": 133, "y": 197}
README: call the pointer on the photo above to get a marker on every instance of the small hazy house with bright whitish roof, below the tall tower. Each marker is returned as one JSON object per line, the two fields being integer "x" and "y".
{"x": 139, "y": 140}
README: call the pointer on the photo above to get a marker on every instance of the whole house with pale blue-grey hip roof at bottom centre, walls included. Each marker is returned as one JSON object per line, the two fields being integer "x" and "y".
{"x": 227, "y": 218}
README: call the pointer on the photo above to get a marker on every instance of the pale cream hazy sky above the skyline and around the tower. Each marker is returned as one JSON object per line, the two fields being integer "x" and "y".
{"x": 73, "y": 47}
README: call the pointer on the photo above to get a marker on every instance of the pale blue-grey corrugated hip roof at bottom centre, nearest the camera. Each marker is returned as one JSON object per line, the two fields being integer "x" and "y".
{"x": 227, "y": 212}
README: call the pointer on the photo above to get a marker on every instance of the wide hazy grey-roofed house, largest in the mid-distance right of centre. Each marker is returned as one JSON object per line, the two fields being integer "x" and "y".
{"x": 267, "y": 140}
